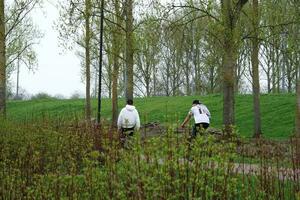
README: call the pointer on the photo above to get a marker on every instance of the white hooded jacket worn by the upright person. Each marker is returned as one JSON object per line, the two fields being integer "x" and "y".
{"x": 129, "y": 118}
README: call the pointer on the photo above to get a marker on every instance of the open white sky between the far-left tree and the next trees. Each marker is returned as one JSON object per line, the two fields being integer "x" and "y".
{"x": 57, "y": 73}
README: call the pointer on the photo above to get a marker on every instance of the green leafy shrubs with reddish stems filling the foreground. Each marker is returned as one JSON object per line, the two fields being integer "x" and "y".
{"x": 61, "y": 162}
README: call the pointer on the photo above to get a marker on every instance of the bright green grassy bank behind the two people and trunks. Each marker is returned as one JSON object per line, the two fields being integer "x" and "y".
{"x": 278, "y": 111}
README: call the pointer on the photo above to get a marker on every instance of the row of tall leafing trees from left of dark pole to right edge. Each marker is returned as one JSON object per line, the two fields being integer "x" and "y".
{"x": 184, "y": 48}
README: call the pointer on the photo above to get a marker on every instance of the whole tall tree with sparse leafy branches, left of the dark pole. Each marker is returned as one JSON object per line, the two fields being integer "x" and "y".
{"x": 75, "y": 27}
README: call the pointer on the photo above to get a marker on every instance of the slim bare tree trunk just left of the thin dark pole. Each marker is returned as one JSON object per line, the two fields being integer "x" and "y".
{"x": 87, "y": 62}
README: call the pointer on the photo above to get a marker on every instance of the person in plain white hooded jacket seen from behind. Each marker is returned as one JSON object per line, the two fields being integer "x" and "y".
{"x": 129, "y": 119}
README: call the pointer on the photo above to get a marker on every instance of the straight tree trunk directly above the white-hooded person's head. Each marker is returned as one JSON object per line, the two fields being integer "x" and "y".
{"x": 129, "y": 49}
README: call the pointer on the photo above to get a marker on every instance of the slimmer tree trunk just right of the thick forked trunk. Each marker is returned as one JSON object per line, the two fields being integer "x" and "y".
{"x": 255, "y": 71}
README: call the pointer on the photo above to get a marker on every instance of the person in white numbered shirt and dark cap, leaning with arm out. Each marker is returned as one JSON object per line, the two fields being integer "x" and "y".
{"x": 201, "y": 116}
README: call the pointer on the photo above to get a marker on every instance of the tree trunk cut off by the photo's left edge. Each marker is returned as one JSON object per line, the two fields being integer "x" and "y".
{"x": 2, "y": 62}
